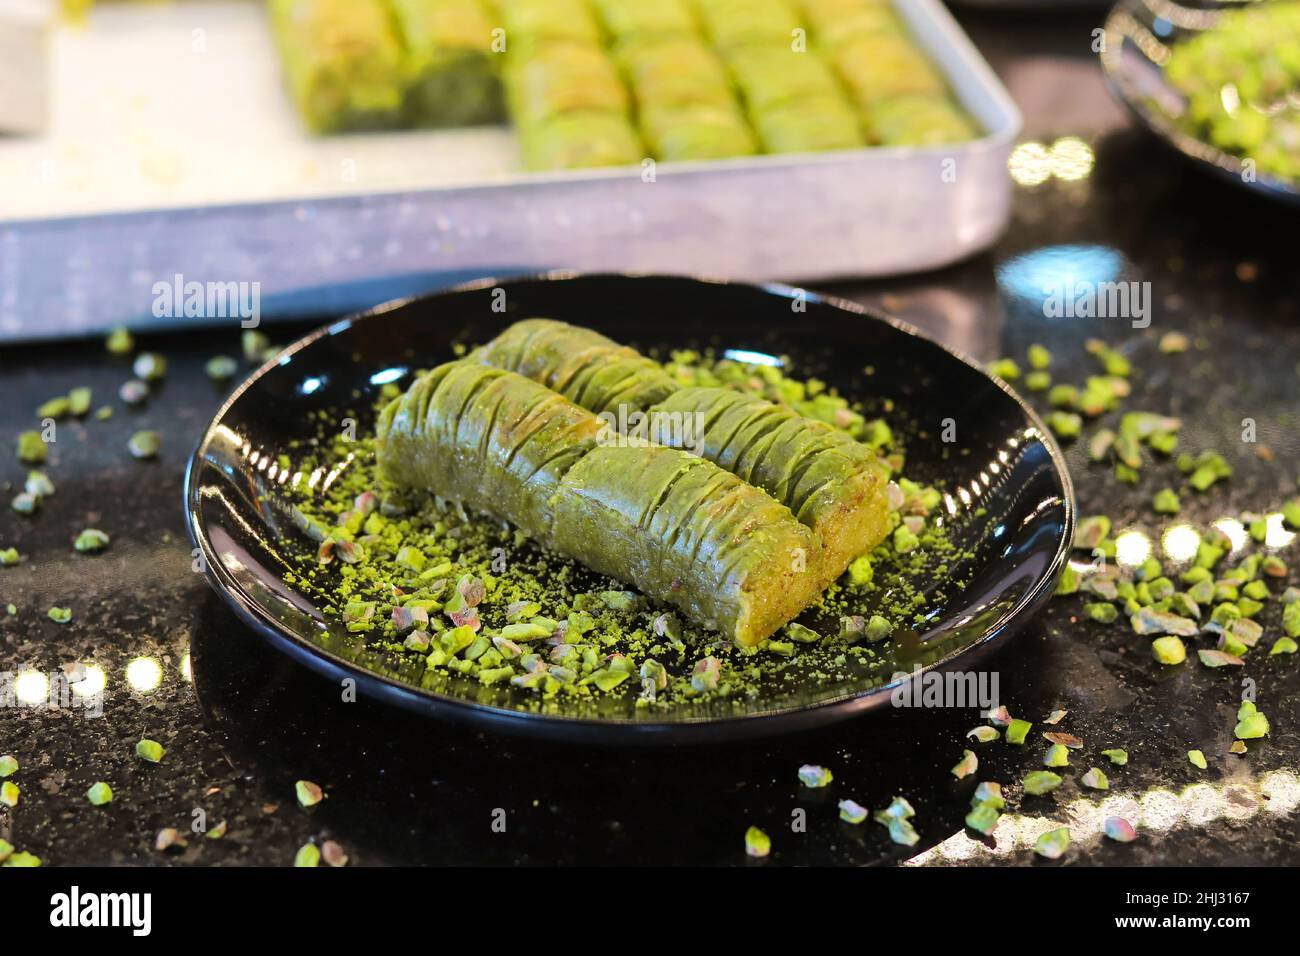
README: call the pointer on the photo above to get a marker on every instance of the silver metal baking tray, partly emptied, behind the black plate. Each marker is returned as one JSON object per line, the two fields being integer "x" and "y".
{"x": 174, "y": 157}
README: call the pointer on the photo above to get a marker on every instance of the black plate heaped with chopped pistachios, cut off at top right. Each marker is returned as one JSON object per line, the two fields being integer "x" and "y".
{"x": 1138, "y": 36}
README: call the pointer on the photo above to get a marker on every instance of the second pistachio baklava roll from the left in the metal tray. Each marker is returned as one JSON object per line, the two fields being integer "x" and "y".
{"x": 452, "y": 63}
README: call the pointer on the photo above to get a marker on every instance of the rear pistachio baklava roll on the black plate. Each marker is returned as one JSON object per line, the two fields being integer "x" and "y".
{"x": 830, "y": 482}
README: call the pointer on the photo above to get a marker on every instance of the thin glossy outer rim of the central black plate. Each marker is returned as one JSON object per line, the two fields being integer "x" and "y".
{"x": 775, "y": 721}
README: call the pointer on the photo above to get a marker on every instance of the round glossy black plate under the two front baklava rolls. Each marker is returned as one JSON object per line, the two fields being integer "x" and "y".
{"x": 1007, "y": 479}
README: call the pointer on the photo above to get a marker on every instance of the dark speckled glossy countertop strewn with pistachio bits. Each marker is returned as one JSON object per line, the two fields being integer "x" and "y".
{"x": 1221, "y": 267}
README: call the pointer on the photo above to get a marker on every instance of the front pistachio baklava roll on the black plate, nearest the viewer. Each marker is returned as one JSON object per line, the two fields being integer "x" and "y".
{"x": 674, "y": 526}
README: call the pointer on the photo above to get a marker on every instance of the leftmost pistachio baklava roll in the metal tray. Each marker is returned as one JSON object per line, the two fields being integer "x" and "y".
{"x": 343, "y": 60}
